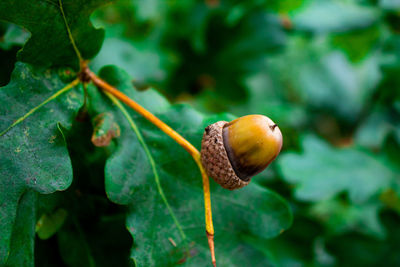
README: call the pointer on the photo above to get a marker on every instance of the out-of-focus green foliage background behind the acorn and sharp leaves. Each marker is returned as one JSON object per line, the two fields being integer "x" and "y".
{"x": 327, "y": 72}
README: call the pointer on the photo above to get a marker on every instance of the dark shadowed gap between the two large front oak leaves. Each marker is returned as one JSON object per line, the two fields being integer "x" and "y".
{"x": 94, "y": 232}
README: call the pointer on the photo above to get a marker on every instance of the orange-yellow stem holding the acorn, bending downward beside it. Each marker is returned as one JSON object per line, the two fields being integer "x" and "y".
{"x": 177, "y": 138}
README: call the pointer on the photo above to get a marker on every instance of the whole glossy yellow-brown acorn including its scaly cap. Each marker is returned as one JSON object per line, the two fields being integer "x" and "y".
{"x": 233, "y": 152}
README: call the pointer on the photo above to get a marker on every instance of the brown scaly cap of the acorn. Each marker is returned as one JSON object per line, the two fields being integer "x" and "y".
{"x": 215, "y": 159}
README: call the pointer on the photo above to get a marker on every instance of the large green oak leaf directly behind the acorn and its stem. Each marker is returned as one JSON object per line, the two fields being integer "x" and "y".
{"x": 162, "y": 185}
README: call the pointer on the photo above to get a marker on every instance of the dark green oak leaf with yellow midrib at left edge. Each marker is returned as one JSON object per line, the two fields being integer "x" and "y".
{"x": 32, "y": 145}
